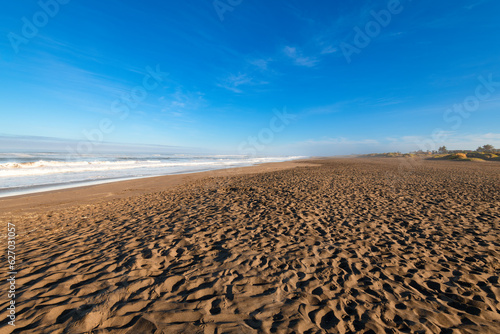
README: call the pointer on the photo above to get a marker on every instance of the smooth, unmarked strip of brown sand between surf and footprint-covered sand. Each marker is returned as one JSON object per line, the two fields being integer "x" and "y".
{"x": 106, "y": 191}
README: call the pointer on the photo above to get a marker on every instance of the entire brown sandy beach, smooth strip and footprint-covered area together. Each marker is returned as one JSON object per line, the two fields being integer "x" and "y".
{"x": 332, "y": 246}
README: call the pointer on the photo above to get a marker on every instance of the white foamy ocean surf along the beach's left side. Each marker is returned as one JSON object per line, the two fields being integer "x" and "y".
{"x": 24, "y": 173}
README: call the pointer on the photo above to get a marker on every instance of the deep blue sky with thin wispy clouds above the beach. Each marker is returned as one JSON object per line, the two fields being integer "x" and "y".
{"x": 357, "y": 76}
